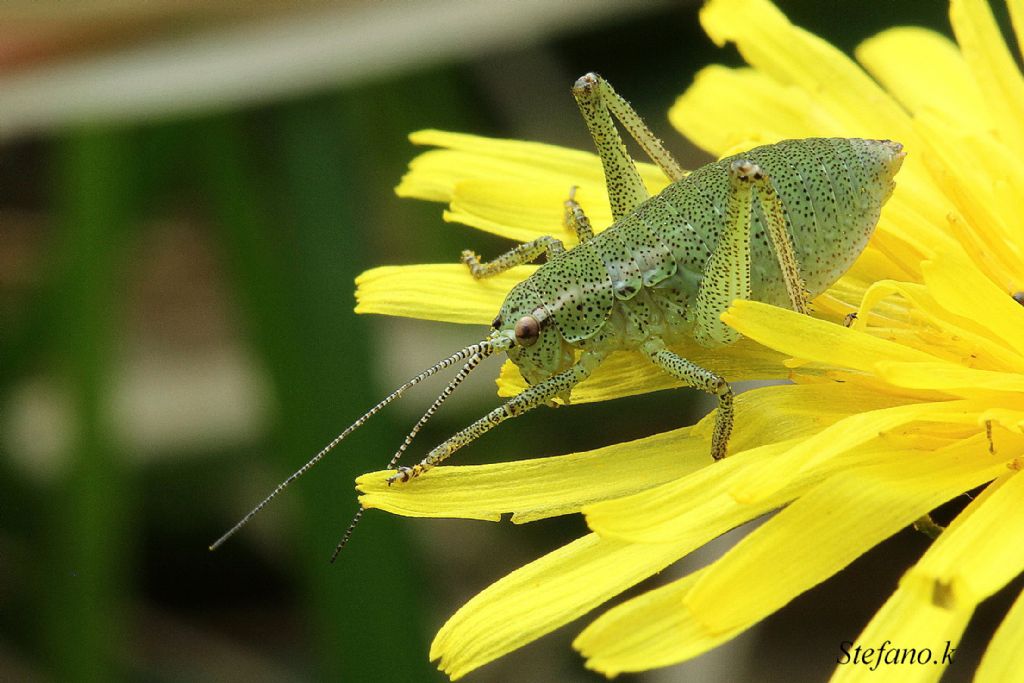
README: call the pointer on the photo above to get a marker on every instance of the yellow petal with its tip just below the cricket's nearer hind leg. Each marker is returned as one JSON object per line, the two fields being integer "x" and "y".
{"x": 808, "y": 338}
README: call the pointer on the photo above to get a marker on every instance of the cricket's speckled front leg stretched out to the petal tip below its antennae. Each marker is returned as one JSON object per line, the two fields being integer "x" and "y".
{"x": 530, "y": 399}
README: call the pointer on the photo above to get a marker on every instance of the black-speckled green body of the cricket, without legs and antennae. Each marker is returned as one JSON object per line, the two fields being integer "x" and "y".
{"x": 639, "y": 279}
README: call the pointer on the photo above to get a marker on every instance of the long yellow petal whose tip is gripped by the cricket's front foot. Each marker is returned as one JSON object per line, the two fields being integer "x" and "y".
{"x": 546, "y": 487}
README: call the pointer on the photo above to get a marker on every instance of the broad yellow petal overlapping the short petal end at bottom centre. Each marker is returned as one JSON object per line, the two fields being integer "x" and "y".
{"x": 830, "y": 527}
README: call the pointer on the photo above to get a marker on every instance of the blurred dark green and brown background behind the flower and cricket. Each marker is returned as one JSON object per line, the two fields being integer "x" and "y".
{"x": 187, "y": 194}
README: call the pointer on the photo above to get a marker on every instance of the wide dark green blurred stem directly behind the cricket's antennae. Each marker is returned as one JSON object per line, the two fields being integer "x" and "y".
{"x": 294, "y": 270}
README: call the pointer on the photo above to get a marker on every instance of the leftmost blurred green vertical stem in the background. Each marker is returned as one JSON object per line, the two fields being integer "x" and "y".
{"x": 86, "y": 602}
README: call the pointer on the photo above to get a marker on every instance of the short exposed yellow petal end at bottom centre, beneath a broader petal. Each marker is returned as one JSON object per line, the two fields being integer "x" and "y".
{"x": 648, "y": 632}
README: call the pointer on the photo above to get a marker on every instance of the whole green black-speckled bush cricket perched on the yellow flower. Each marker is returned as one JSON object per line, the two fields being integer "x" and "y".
{"x": 779, "y": 224}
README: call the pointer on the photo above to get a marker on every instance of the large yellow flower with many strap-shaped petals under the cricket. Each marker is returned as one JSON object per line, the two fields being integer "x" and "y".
{"x": 921, "y": 400}
